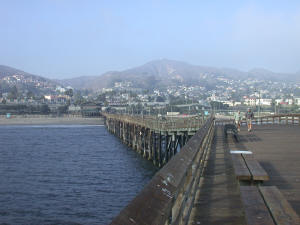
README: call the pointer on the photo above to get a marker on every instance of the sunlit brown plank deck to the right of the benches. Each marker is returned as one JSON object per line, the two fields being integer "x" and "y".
{"x": 277, "y": 148}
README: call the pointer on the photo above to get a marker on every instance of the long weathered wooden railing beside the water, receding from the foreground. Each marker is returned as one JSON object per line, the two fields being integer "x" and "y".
{"x": 169, "y": 197}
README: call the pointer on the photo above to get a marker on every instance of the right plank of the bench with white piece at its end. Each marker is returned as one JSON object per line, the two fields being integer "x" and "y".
{"x": 257, "y": 172}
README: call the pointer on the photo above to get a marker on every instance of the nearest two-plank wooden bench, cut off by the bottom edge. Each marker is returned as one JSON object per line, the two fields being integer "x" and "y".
{"x": 265, "y": 205}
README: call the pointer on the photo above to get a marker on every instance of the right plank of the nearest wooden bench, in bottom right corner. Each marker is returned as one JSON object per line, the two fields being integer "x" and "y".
{"x": 281, "y": 210}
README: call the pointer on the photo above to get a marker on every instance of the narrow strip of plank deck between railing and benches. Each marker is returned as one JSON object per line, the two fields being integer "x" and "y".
{"x": 218, "y": 199}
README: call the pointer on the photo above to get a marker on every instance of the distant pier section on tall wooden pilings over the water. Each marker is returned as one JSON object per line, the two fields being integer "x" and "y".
{"x": 155, "y": 138}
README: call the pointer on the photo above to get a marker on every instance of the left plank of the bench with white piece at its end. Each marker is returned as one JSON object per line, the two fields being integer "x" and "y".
{"x": 240, "y": 168}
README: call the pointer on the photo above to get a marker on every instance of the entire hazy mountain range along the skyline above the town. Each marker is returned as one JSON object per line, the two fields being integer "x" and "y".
{"x": 155, "y": 74}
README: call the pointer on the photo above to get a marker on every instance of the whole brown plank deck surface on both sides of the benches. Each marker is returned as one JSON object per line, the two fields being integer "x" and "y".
{"x": 276, "y": 148}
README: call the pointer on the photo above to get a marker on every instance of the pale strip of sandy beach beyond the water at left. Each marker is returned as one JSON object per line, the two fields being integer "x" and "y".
{"x": 47, "y": 120}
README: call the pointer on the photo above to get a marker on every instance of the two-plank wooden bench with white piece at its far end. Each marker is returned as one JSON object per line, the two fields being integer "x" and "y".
{"x": 247, "y": 168}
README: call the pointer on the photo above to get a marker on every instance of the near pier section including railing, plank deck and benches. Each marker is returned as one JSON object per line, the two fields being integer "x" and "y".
{"x": 206, "y": 184}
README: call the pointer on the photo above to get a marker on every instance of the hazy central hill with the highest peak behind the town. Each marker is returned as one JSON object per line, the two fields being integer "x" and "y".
{"x": 155, "y": 74}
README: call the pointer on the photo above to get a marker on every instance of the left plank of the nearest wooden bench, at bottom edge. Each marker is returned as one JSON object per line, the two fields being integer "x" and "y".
{"x": 256, "y": 211}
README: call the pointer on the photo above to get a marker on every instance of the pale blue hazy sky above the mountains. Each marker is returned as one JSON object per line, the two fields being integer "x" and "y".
{"x": 67, "y": 38}
